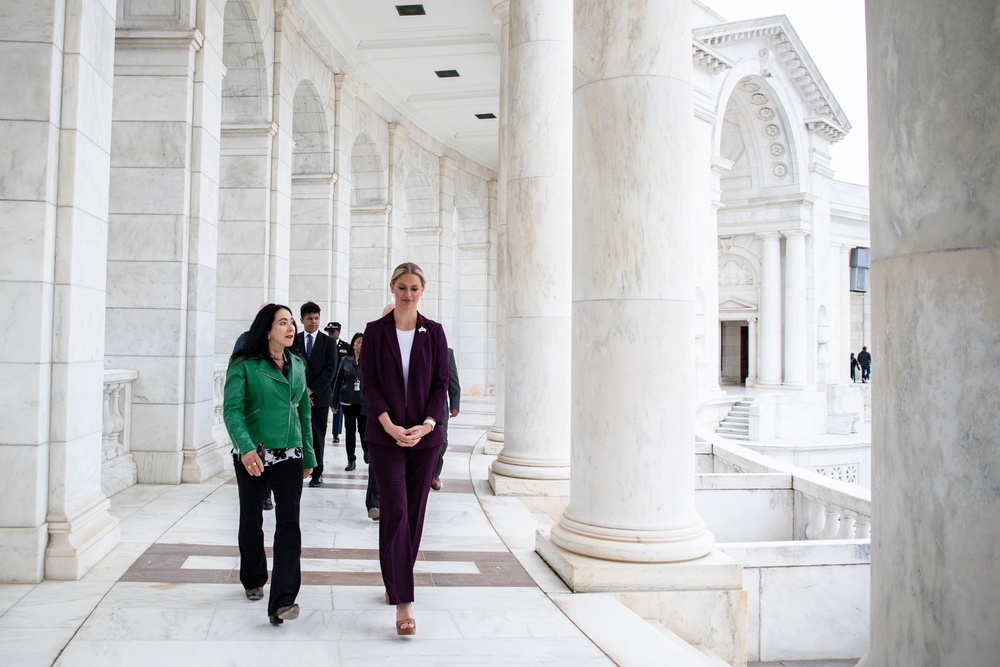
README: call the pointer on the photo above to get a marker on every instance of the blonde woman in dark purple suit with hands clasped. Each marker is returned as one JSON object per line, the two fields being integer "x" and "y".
{"x": 404, "y": 373}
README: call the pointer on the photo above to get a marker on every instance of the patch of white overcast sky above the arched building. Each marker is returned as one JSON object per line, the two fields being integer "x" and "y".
{"x": 834, "y": 36}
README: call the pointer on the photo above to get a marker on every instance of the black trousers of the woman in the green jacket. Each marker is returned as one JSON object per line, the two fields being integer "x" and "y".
{"x": 286, "y": 573}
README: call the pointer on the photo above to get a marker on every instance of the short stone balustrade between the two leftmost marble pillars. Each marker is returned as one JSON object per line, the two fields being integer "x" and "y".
{"x": 118, "y": 470}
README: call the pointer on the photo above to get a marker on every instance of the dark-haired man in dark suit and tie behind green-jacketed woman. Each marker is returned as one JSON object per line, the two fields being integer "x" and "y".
{"x": 321, "y": 359}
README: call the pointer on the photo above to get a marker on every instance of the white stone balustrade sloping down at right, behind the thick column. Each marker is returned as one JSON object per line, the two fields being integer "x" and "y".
{"x": 824, "y": 508}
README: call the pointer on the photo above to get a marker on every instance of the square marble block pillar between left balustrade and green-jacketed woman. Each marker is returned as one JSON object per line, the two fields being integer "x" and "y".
{"x": 162, "y": 245}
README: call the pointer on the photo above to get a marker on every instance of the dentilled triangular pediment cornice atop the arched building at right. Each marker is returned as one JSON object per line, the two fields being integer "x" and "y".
{"x": 787, "y": 52}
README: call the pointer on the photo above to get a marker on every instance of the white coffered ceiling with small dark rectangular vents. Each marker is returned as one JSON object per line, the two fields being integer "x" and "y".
{"x": 398, "y": 57}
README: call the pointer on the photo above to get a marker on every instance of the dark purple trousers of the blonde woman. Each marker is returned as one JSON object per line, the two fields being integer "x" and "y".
{"x": 404, "y": 477}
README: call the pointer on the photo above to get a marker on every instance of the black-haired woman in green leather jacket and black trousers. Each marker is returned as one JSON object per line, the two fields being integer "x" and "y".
{"x": 267, "y": 414}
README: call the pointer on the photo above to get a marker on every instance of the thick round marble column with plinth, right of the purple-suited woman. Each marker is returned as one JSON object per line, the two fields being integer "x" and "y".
{"x": 631, "y": 527}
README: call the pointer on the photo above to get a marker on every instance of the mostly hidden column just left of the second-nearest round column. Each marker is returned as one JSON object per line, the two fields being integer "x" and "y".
{"x": 495, "y": 436}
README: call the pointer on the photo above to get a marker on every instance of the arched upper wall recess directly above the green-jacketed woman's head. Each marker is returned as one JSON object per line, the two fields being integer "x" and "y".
{"x": 245, "y": 88}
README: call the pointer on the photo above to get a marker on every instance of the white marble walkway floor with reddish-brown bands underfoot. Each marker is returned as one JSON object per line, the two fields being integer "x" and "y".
{"x": 169, "y": 594}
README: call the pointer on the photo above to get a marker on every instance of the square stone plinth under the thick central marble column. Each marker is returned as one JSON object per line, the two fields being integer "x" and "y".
{"x": 701, "y": 600}
